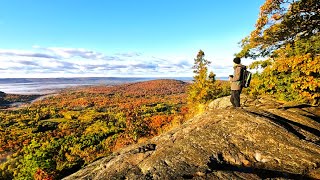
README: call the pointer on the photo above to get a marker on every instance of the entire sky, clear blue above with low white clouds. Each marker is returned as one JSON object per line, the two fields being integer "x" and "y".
{"x": 141, "y": 38}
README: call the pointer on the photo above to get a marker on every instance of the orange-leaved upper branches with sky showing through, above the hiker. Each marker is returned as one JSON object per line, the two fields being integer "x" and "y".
{"x": 281, "y": 22}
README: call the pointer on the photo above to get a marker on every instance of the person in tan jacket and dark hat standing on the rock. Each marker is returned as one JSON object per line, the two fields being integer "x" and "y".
{"x": 235, "y": 80}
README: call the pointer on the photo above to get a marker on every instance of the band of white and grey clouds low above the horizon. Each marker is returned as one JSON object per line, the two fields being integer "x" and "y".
{"x": 80, "y": 62}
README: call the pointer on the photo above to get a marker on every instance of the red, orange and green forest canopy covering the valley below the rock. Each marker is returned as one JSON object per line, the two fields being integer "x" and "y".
{"x": 57, "y": 135}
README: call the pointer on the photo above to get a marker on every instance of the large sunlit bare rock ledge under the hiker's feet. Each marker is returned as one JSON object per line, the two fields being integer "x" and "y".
{"x": 265, "y": 139}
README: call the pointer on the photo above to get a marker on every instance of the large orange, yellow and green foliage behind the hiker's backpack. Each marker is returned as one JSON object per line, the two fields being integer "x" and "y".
{"x": 287, "y": 35}
